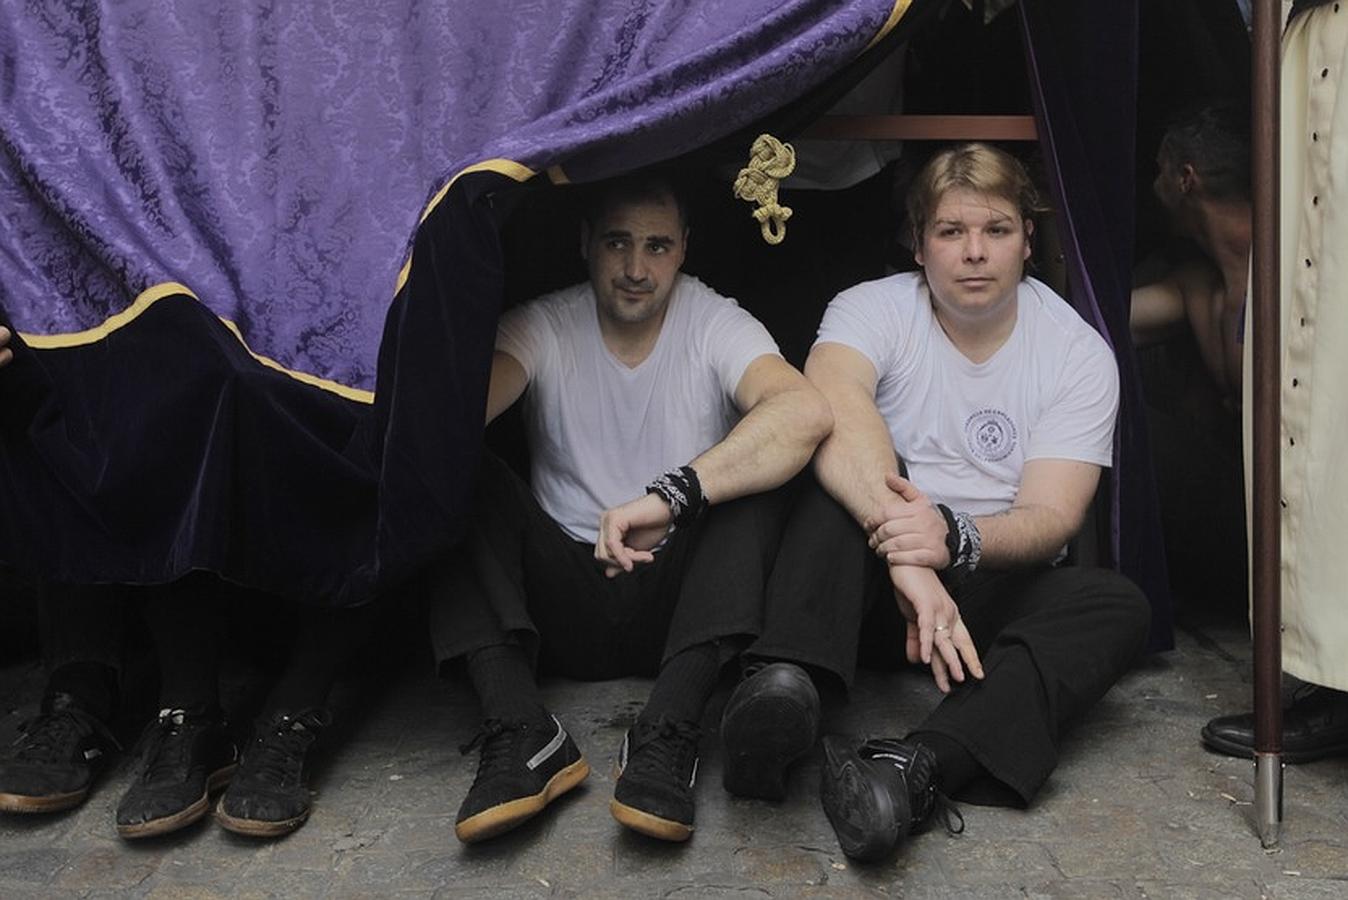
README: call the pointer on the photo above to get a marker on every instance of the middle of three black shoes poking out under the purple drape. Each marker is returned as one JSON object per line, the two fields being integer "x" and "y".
{"x": 188, "y": 755}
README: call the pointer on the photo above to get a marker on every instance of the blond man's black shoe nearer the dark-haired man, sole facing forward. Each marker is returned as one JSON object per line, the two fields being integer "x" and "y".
{"x": 772, "y": 720}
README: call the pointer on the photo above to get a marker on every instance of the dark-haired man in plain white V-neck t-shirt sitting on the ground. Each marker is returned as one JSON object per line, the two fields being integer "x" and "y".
{"x": 656, "y": 412}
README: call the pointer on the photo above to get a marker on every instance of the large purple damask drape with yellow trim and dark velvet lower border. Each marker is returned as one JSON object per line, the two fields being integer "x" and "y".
{"x": 276, "y": 161}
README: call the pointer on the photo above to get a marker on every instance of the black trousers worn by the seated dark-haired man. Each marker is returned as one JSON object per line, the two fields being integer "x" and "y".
{"x": 520, "y": 579}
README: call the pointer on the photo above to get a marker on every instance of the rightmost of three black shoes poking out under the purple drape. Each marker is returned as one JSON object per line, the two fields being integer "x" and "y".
{"x": 269, "y": 796}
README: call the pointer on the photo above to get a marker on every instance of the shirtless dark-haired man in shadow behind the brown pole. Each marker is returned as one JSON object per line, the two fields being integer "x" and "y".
{"x": 1194, "y": 387}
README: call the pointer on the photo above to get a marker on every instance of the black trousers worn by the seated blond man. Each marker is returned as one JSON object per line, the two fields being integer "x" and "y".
{"x": 1052, "y": 641}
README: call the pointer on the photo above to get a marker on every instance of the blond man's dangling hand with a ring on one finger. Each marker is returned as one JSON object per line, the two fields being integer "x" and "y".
{"x": 936, "y": 634}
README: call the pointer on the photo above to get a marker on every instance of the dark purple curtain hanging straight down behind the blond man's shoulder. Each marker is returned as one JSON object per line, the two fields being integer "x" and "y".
{"x": 1083, "y": 73}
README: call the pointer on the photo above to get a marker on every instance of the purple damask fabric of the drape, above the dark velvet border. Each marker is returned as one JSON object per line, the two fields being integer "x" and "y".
{"x": 276, "y": 158}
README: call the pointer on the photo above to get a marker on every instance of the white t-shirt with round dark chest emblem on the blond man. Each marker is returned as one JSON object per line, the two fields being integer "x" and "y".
{"x": 966, "y": 429}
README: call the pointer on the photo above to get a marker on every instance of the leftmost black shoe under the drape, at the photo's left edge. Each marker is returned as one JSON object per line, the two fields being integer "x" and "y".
{"x": 59, "y": 755}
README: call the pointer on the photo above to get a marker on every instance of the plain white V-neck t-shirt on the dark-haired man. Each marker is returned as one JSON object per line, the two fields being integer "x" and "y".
{"x": 601, "y": 432}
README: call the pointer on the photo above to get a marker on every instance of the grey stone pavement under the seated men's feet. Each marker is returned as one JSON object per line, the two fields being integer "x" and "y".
{"x": 1137, "y": 809}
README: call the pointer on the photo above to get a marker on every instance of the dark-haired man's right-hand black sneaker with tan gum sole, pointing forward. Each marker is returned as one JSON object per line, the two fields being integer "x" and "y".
{"x": 657, "y": 769}
